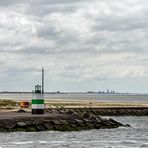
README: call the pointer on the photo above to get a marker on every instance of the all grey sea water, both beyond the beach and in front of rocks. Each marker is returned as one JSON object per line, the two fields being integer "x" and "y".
{"x": 135, "y": 136}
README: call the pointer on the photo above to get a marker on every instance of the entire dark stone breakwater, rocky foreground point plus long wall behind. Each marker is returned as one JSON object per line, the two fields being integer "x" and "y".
{"x": 67, "y": 119}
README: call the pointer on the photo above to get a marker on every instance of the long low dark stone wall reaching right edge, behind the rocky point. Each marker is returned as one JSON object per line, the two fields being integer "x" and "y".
{"x": 104, "y": 111}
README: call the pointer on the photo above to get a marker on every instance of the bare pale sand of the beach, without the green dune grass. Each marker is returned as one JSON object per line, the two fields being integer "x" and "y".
{"x": 79, "y": 104}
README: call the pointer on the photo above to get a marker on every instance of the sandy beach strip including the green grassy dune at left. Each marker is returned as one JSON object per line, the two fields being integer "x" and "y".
{"x": 60, "y": 103}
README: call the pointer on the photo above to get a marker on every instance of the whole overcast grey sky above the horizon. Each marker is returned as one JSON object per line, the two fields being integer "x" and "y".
{"x": 84, "y": 45}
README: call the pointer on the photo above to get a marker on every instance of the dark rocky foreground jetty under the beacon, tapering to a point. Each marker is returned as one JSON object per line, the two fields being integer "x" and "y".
{"x": 57, "y": 120}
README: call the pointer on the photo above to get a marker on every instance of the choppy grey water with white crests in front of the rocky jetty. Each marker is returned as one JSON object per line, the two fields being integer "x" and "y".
{"x": 129, "y": 137}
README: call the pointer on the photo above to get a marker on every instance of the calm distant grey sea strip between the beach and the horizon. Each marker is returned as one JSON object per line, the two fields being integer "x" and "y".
{"x": 80, "y": 96}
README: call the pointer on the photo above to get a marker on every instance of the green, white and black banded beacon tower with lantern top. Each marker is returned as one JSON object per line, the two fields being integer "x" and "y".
{"x": 38, "y": 101}
